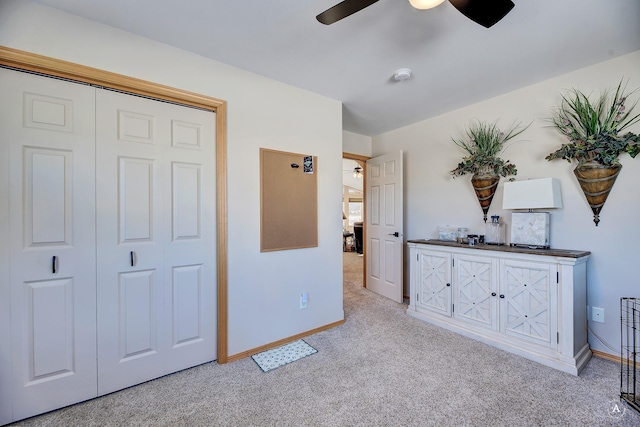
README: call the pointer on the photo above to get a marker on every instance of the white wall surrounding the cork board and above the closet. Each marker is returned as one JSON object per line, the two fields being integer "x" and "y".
{"x": 264, "y": 288}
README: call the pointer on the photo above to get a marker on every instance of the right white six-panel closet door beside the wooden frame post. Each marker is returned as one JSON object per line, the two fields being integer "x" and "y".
{"x": 156, "y": 246}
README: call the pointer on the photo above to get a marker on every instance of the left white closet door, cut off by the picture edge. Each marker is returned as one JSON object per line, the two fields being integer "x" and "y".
{"x": 47, "y": 137}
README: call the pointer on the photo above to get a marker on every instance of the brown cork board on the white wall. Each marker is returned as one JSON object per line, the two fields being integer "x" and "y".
{"x": 288, "y": 201}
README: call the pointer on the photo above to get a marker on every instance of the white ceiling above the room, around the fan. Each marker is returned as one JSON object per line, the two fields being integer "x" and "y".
{"x": 455, "y": 62}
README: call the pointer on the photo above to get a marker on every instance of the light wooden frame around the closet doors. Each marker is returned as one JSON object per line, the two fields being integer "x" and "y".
{"x": 26, "y": 61}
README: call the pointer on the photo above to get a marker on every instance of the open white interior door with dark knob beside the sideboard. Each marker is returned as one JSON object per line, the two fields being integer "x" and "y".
{"x": 384, "y": 248}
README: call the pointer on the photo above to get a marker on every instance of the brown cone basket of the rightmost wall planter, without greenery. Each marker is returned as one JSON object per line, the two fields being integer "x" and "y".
{"x": 596, "y": 182}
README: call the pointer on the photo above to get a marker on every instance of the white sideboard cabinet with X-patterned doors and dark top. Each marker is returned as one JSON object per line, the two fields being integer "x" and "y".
{"x": 530, "y": 302}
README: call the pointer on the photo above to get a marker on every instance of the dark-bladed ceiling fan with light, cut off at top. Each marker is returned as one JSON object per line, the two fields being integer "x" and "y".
{"x": 484, "y": 12}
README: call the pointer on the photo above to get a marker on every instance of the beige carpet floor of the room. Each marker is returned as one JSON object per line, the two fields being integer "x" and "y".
{"x": 381, "y": 368}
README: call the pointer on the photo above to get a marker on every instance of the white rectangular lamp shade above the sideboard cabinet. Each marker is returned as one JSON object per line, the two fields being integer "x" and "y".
{"x": 541, "y": 193}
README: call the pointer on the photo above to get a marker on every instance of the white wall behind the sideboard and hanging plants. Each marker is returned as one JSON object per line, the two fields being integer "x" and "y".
{"x": 433, "y": 198}
